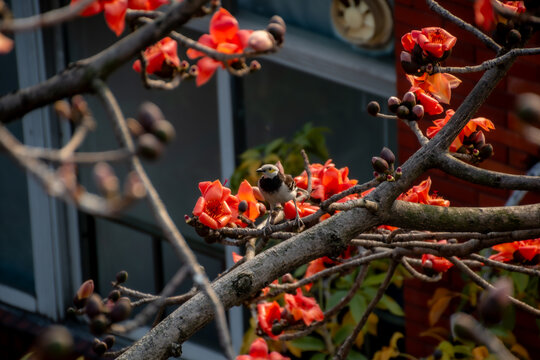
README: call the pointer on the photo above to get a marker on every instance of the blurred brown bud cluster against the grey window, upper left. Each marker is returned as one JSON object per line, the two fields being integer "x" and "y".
{"x": 151, "y": 130}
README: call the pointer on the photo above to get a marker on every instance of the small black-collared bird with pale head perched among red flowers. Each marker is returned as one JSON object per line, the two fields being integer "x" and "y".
{"x": 277, "y": 188}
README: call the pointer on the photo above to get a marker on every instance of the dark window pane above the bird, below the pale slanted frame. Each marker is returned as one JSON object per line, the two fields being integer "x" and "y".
{"x": 279, "y": 101}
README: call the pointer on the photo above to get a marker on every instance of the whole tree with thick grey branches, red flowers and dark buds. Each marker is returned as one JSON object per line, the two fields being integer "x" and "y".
{"x": 347, "y": 225}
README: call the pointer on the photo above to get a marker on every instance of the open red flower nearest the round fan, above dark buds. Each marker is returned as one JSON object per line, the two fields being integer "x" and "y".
{"x": 434, "y": 41}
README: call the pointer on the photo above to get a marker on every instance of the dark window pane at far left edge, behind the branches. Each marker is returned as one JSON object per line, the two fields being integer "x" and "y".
{"x": 16, "y": 265}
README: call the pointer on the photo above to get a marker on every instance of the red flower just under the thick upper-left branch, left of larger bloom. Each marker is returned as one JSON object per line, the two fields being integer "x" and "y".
{"x": 161, "y": 54}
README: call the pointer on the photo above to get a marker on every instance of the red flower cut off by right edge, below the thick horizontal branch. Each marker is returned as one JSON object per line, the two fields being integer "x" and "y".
{"x": 524, "y": 252}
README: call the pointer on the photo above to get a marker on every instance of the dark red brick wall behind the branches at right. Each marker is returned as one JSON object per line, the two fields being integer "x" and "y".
{"x": 512, "y": 154}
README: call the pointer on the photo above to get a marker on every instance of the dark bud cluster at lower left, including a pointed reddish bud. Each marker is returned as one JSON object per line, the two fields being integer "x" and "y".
{"x": 102, "y": 313}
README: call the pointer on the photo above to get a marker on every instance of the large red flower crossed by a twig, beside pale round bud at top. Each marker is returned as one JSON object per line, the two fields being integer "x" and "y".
{"x": 226, "y": 37}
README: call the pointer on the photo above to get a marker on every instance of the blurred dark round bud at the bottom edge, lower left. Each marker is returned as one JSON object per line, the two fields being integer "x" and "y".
{"x": 55, "y": 342}
